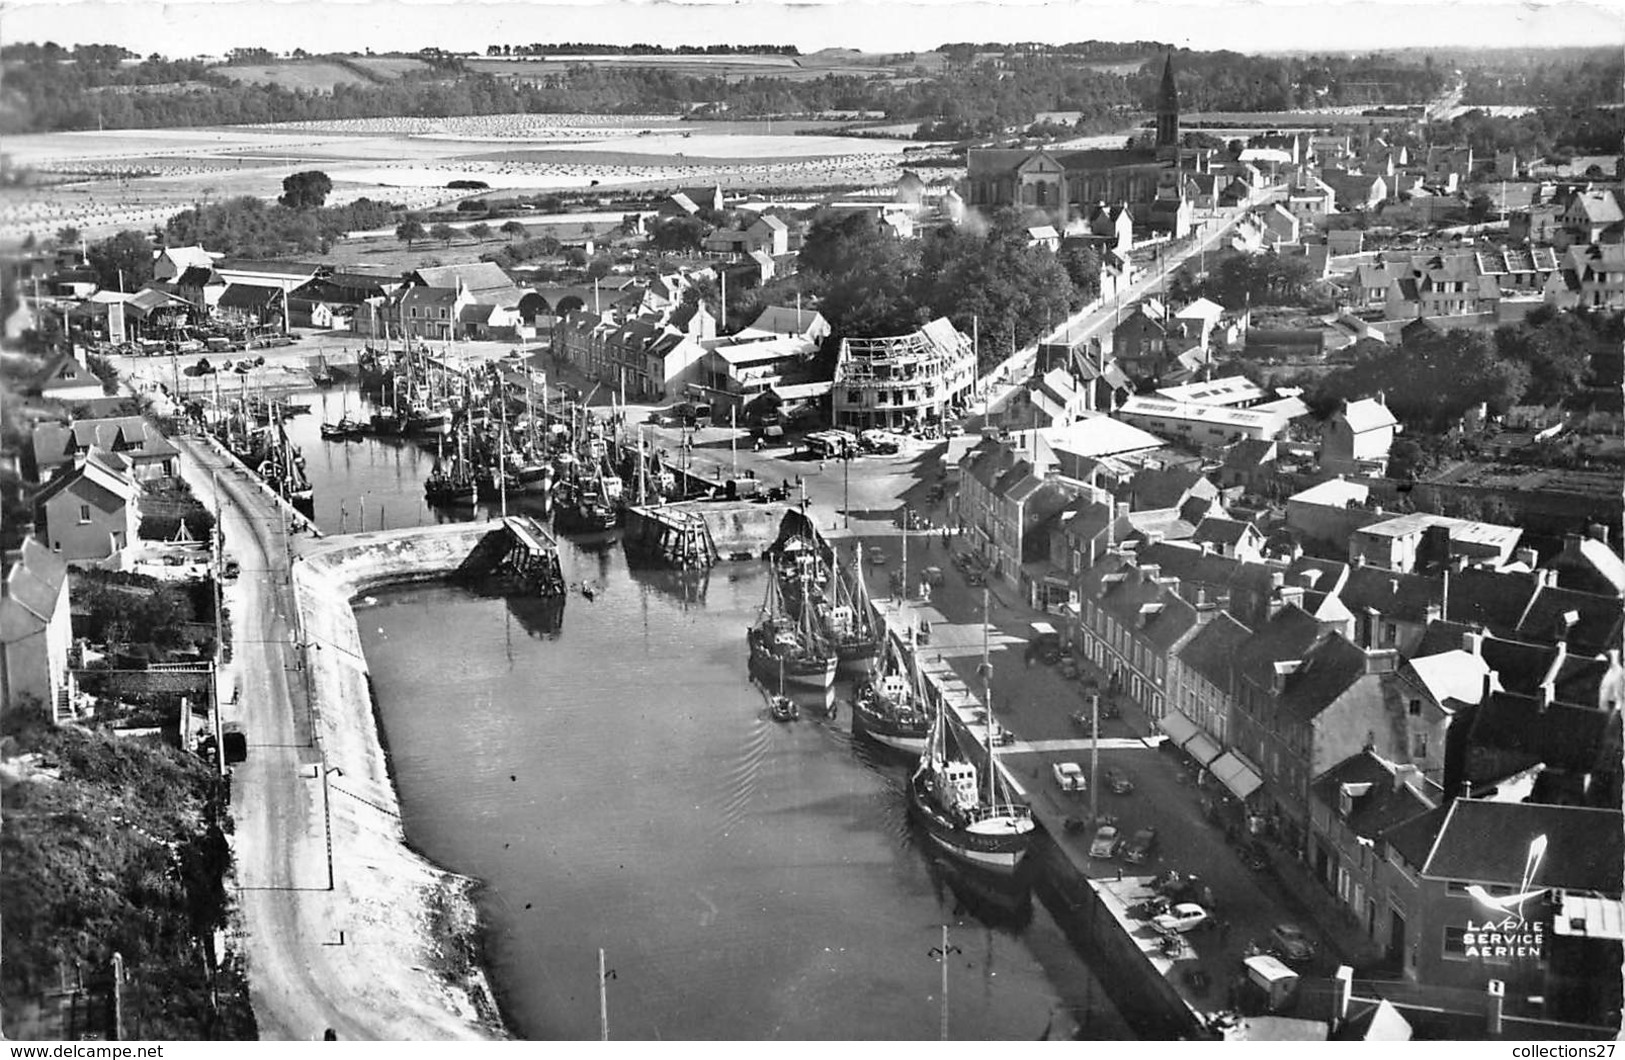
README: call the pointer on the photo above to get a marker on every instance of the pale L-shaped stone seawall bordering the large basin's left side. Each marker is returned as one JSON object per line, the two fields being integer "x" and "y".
{"x": 415, "y": 919}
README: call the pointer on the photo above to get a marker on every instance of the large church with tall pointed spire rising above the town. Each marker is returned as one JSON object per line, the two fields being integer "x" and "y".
{"x": 1153, "y": 183}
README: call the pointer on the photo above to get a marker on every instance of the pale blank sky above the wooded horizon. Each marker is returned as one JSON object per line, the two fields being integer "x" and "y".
{"x": 180, "y": 28}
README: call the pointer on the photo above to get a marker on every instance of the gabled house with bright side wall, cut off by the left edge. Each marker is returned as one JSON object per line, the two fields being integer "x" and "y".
{"x": 35, "y": 628}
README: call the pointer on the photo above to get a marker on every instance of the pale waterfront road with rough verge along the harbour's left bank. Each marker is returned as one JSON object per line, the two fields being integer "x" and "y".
{"x": 318, "y": 958}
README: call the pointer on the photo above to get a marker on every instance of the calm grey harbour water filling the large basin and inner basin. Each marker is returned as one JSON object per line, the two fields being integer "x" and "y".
{"x": 610, "y": 773}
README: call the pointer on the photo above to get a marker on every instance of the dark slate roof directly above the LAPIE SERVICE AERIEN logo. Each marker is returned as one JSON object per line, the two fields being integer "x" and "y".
{"x": 1489, "y": 843}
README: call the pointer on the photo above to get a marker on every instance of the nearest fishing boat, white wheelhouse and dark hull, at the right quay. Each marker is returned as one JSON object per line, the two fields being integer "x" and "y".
{"x": 966, "y": 809}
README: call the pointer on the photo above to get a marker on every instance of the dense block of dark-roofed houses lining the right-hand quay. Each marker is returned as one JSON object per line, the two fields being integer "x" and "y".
{"x": 1374, "y": 719}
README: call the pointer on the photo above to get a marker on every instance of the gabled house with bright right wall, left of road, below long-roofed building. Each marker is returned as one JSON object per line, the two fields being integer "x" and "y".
{"x": 90, "y": 516}
